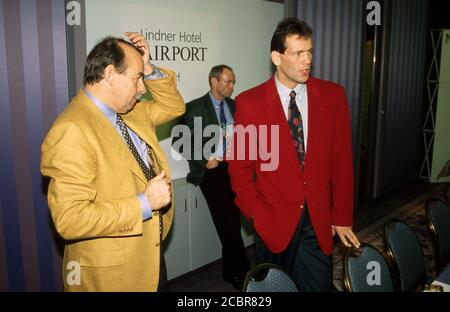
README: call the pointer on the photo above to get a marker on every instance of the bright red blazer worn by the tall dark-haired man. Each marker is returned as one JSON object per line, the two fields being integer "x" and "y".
{"x": 274, "y": 199}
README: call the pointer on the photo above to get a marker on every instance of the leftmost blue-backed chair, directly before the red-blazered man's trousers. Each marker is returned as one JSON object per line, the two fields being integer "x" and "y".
{"x": 268, "y": 277}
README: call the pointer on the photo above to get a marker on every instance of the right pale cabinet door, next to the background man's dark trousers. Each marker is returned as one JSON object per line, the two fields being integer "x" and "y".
{"x": 205, "y": 243}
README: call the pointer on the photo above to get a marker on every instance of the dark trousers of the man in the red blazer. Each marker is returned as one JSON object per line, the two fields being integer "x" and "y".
{"x": 308, "y": 266}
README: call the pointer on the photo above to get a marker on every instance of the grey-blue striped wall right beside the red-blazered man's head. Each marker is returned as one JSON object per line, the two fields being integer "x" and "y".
{"x": 337, "y": 40}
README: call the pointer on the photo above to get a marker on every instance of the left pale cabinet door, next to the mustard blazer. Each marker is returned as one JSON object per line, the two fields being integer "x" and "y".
{"x": 177, "y": 242}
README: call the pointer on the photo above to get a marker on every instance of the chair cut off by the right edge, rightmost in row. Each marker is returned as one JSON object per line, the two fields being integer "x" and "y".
{"x": 438, "y": 216}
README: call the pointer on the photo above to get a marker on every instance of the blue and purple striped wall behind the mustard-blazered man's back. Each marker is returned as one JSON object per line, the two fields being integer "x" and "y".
{"x": 33, "y": 90}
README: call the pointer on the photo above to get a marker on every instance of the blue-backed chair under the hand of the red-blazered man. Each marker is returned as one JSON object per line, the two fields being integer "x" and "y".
{"x": 366, "y": 270}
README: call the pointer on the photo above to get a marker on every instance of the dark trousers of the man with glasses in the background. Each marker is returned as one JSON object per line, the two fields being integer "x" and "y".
{"x": 216, "y": 188}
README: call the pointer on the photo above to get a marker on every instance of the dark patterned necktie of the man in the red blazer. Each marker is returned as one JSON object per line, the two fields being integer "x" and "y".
{"x": 296, "y": 125}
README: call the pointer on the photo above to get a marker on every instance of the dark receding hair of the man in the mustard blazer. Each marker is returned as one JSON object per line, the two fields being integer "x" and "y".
{"x": 106, "y": 52}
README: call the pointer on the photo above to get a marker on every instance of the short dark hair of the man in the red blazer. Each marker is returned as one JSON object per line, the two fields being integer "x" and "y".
{"x": 287, "y": 27}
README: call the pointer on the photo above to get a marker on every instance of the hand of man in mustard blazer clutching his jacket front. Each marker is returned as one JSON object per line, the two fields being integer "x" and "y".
{"x": 158, "y": 192}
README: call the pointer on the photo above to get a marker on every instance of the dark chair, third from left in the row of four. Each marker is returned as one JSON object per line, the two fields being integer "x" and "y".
{"x": 406, "y": 255}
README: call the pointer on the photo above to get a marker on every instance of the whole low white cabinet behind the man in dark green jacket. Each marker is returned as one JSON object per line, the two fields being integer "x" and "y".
{"x": 193, "y": 241}
